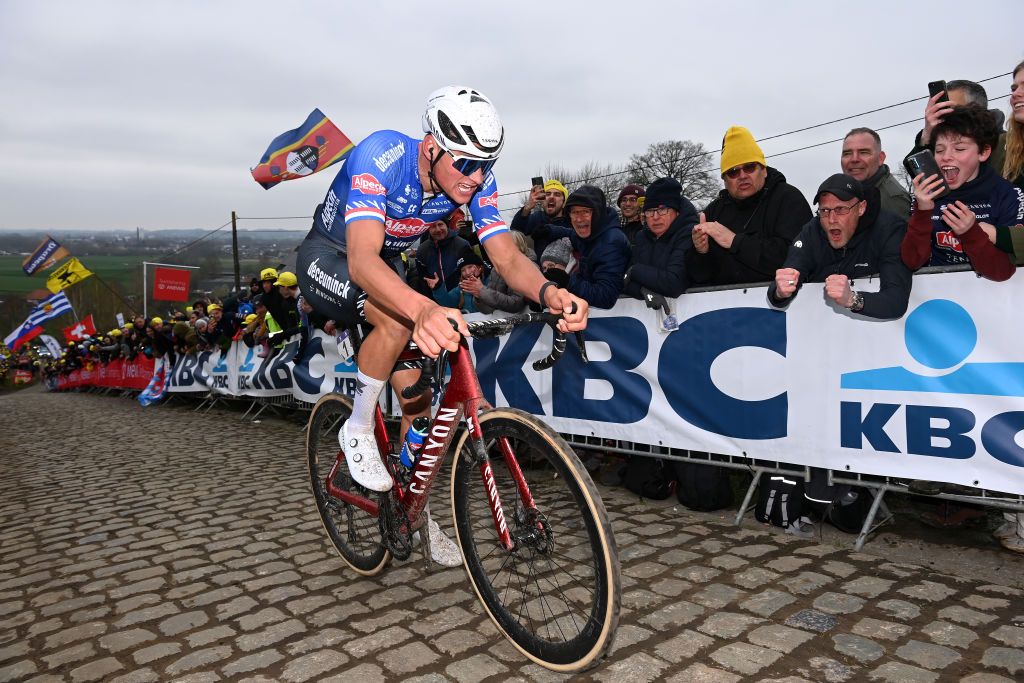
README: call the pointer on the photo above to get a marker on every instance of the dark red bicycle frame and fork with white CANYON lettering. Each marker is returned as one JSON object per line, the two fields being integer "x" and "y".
{"x": 462, "y": 399}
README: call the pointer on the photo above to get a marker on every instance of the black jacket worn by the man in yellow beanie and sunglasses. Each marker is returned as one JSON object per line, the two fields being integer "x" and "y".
{"x": 765, "y": 226}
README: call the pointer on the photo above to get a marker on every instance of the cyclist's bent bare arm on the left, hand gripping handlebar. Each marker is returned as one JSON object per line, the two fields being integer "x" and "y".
{"x": 432, "y": 330}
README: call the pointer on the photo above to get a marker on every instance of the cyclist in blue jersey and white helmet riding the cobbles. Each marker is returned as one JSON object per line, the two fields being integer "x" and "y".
{"x": 389, "y": 193}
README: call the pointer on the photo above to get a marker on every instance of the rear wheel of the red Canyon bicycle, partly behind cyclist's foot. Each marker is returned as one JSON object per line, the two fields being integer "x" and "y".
{"x": 354, "y": 533}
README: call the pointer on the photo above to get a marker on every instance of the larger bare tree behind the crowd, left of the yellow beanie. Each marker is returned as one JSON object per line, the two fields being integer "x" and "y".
{"x": 688, "y": 162}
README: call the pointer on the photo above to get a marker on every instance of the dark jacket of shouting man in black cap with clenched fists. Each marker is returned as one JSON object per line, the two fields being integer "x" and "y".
{"x": 875, "y": 248}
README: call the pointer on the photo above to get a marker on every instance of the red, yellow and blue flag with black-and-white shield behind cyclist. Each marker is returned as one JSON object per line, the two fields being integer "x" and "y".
{"x": 311, "y": 148}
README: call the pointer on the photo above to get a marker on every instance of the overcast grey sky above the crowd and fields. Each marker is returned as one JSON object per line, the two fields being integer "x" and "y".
{"x": 150, "y": 114}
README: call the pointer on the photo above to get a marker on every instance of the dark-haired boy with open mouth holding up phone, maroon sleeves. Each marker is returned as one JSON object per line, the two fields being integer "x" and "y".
{"x": 950, "y": 232}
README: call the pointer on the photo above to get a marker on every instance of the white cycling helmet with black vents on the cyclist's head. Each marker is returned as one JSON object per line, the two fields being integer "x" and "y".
{"x": 465, "y": 123}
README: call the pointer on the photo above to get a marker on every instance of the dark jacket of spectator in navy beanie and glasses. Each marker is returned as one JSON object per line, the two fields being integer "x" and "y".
{"x": 659, "y": 265}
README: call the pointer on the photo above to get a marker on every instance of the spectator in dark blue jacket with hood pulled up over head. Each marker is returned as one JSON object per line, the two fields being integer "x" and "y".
{"x": 600, "y": 246}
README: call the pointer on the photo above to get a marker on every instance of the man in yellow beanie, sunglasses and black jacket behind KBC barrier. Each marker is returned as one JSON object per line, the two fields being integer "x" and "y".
{"x": 745, "y": 233}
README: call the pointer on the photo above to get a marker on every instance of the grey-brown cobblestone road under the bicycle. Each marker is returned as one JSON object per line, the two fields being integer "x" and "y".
{"x": 156, "y": 544}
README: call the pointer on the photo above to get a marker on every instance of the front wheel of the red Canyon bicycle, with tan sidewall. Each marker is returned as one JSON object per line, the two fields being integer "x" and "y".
{"x": 567, "y": 623}
